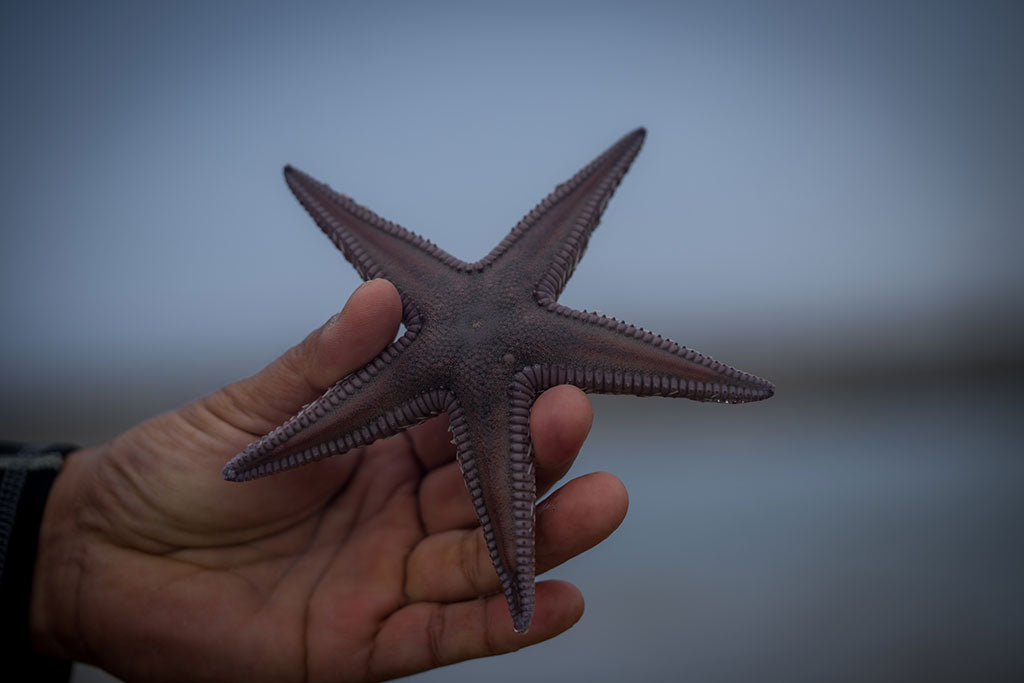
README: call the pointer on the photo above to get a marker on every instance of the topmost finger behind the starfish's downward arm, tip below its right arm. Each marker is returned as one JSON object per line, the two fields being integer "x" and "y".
{"x": 560, "y": 424}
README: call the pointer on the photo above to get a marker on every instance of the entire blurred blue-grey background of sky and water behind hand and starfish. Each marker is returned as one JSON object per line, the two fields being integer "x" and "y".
{"x": 830, "y": 196}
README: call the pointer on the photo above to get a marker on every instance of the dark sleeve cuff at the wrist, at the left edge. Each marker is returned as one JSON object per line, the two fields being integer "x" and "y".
{"x": 27, "y": 474}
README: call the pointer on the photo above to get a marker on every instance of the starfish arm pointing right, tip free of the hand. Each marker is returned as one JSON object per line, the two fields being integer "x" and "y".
{"x": 602, "y": 355}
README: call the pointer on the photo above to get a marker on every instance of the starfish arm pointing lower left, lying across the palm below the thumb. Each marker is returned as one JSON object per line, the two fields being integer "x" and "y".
{"x": 372, "y": 403}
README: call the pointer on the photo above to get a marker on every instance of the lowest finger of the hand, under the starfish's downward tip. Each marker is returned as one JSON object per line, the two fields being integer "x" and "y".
{"x": 424, "y": 636}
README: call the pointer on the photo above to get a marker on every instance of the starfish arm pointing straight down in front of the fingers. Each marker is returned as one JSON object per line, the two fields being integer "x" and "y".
{"x": 496, "y": 457}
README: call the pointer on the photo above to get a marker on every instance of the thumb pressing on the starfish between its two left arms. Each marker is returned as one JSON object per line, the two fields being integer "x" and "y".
{"x": 345, "y": 344}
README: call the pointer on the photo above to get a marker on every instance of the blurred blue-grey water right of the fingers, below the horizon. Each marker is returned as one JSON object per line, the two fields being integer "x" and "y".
{"x": 860, "y": 534}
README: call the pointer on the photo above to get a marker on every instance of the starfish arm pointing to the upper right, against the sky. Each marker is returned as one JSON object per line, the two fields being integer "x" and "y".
{"x": 561, "y": 226}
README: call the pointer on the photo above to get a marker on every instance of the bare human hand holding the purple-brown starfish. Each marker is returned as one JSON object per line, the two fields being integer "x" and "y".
{"x": 363, "y": 567}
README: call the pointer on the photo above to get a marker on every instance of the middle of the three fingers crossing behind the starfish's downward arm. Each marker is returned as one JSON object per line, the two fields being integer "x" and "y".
{"x": 456, "y": 566}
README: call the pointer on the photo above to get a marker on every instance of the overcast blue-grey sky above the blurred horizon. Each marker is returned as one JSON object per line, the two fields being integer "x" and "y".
{"x": 845, "y": 166}
